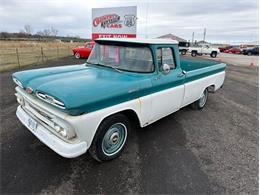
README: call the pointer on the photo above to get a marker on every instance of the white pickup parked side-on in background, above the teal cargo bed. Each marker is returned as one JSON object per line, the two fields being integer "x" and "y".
{"x": 204, "y": 50}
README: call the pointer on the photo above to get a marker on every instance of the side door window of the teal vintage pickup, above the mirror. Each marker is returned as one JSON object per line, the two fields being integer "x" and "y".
{"x": 165, "y": 56}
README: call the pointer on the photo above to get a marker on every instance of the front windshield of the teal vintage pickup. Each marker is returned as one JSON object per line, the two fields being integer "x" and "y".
{"x": 125, "y": 58}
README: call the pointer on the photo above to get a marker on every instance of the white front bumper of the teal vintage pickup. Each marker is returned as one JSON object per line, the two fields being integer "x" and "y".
{"x": 67, "y": 150}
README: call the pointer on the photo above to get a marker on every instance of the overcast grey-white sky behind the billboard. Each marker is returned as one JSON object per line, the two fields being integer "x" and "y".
{"x": 225, "y": 20}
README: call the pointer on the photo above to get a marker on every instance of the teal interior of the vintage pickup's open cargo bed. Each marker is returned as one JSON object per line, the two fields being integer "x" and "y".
{"x": 189, "y": 64}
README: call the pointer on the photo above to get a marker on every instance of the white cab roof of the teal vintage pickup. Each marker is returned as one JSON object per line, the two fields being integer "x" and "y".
{"x": 139, "y": 41}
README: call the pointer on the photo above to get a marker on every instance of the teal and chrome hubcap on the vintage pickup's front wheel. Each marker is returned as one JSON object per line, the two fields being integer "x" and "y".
{"x": 114, "y": 139}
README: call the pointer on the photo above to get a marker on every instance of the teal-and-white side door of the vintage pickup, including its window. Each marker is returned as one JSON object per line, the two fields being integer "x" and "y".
{"x": 169, "y": 88}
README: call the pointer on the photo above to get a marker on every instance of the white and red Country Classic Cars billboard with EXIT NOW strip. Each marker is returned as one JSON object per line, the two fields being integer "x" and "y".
{"x": 114, "y": 22}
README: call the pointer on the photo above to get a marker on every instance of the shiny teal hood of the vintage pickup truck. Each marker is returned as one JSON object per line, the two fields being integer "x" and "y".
{"x": 85, "y": 88}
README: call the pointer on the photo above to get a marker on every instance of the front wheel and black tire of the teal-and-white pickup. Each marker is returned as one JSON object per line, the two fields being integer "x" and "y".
{"x": 110, "y": 138}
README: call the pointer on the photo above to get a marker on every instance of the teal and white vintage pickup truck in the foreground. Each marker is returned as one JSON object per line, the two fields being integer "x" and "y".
{"x": 92, "y": 106}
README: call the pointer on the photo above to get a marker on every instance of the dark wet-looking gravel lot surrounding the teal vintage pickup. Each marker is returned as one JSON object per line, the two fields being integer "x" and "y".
{"x": 210, "y": 151}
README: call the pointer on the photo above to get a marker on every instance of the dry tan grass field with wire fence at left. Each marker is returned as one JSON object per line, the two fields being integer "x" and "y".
{"x": 11, "y": 58}
